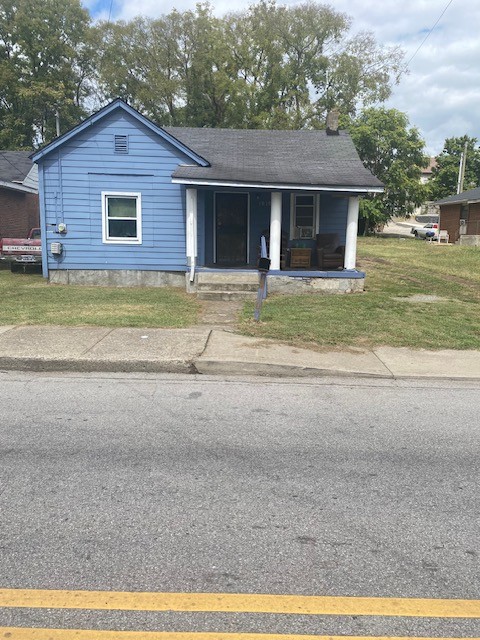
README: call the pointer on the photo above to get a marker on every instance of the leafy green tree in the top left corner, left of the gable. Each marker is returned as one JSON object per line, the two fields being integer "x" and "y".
{"x": 44, "y": 58}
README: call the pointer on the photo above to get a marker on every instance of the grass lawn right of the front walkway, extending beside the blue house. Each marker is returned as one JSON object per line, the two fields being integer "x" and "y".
{"x": 395, "y": 269}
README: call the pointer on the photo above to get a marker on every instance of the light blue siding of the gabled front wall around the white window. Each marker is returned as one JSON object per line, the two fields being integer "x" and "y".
{"x": 78, "y": 171}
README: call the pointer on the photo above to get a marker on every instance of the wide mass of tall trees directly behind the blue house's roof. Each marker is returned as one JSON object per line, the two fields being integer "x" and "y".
{"x": 269, "y": 66}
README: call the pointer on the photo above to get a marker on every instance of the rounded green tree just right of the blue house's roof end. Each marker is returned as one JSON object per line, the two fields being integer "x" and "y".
{"x": 394, "y": 153}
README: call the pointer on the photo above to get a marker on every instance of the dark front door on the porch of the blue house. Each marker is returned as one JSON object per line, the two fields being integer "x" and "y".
{"x": 231, "y": 229}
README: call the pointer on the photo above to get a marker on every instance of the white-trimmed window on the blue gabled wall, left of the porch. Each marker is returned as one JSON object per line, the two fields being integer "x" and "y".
{"x": 122, "y": 217}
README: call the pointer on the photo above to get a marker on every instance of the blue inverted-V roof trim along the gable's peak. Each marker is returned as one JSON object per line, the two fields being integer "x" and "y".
{"x": 100, "y": 115}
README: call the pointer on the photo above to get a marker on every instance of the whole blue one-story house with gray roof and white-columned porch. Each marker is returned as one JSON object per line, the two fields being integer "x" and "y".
{"x": 132, "y": 203}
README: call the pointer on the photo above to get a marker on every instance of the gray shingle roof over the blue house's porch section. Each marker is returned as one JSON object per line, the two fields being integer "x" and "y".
{"x": 297, "y": 158}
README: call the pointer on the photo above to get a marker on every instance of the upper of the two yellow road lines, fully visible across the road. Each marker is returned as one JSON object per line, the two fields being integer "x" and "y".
{"x": 240, "y": 603}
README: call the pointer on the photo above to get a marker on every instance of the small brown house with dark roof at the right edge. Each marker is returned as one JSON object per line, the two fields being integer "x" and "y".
{"x": 460, "y": 216}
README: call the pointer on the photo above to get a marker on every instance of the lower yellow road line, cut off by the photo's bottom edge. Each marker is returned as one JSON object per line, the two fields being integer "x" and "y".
{"x": 14, "y": 633}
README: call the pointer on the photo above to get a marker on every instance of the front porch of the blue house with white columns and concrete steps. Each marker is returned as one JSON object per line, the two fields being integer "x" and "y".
{"x": 224, "y": 231}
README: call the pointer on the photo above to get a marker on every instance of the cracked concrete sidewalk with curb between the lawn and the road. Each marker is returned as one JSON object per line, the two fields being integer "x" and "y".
{"x": 214, "y": 351}
